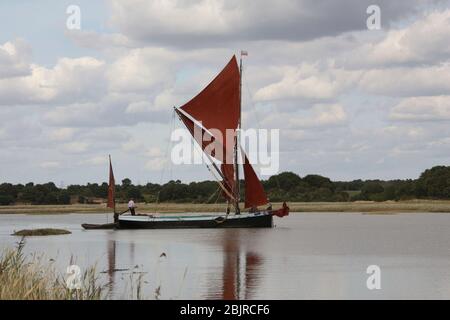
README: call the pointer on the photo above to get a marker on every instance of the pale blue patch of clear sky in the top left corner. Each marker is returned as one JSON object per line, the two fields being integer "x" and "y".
{"x": 42, "y": 24}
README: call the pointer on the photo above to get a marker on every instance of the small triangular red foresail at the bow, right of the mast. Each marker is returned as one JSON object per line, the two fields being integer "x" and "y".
{"x": 254, "y": 191}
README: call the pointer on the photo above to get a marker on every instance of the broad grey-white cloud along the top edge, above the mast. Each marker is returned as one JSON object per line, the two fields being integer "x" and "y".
{"x": 208, "y": 23}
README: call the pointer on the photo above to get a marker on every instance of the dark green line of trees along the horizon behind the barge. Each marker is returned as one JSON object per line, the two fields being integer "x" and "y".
{"x": 433, "y": 183}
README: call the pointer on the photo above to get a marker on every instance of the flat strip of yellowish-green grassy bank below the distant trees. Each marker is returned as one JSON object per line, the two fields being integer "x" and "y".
{"x": 359, "y": 206}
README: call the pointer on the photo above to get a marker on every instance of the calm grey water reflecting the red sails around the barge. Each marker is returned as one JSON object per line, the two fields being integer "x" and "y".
{"x": 307, "y": 256}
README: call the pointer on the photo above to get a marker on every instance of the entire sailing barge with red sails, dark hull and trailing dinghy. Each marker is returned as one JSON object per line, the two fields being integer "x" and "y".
{"x": 215, "y": 109}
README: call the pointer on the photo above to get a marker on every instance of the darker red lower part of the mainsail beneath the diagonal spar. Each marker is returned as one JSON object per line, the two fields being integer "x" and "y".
{"x": 226, "y": 169}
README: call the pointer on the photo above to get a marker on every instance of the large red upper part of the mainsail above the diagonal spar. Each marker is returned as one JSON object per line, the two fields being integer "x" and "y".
{"x": 217, "y": 106}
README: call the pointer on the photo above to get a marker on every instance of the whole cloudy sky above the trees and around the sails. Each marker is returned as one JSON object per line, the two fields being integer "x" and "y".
{"x": 350, "y": 102}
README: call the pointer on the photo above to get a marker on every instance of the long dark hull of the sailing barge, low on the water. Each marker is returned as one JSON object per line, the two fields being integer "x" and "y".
{"x": 262, "y": 221}
